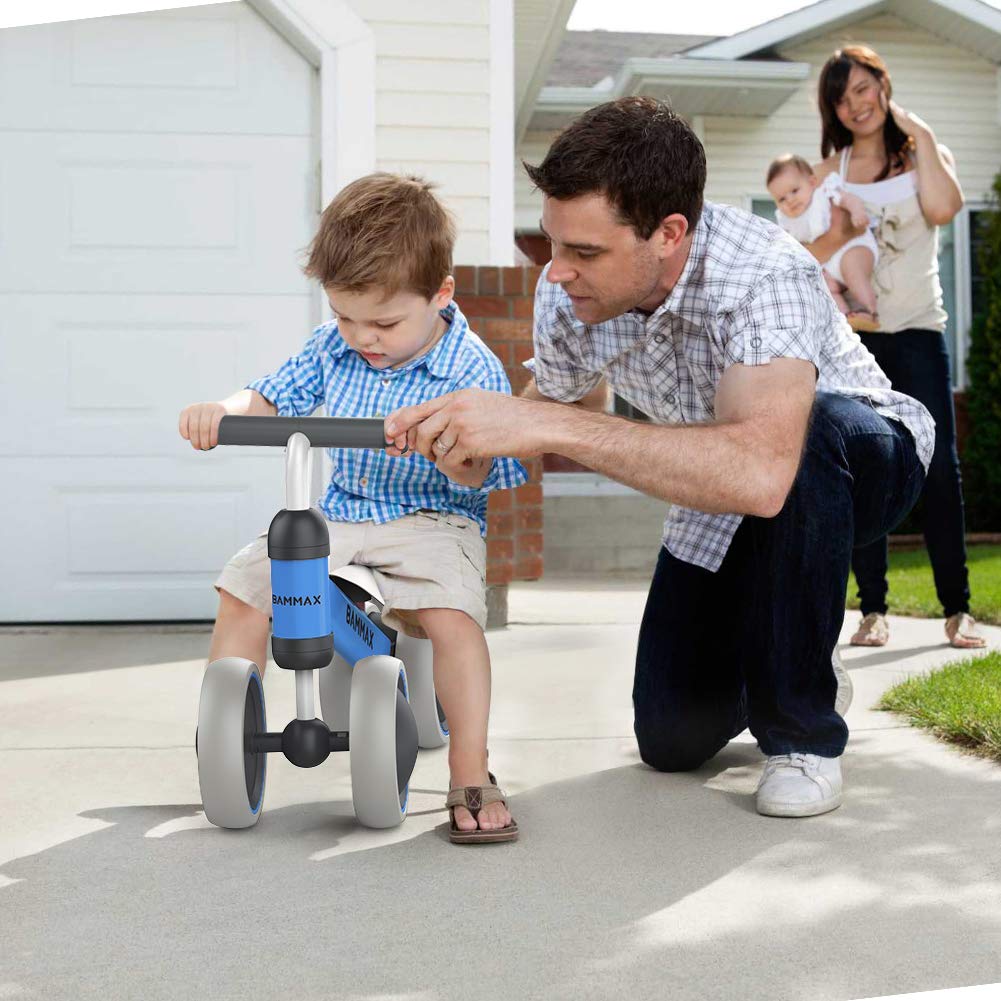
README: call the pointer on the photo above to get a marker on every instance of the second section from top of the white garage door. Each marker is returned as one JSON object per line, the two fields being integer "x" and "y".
{"x": 104, "y": 214}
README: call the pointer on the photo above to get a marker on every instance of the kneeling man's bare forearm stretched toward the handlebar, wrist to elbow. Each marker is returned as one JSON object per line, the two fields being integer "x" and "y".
{"x": 717, "y": 468}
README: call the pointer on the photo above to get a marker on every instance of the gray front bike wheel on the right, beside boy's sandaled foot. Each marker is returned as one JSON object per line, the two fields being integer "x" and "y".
{"x": 384, "y": 741}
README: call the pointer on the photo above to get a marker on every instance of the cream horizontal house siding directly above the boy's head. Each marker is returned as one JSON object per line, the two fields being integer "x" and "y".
{"x": 433, "y": 80}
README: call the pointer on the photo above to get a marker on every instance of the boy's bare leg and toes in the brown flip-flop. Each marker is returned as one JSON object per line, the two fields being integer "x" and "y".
{"x": 463, "y": 685}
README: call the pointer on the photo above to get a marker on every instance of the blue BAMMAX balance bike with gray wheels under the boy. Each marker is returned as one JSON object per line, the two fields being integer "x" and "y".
{"x": 373, "y": 706}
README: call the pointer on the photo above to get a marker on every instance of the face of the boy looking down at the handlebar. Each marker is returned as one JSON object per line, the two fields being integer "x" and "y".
{"x": 389, "y": 333}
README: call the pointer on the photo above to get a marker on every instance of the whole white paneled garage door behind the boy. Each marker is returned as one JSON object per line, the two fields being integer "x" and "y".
{"x": 158, "y": 188}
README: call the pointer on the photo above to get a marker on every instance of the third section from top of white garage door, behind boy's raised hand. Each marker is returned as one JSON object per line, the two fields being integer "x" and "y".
{"x": 103, "y": 376}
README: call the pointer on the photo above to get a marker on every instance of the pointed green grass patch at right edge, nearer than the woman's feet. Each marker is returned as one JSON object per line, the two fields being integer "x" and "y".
{"x": 960, "y": 703}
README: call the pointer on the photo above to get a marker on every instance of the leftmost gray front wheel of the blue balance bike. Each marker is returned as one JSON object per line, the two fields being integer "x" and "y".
{"x": 232, "y": 777}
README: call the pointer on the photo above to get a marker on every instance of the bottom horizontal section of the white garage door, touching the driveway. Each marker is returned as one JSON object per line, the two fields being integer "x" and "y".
{"x": 143, "y": 540}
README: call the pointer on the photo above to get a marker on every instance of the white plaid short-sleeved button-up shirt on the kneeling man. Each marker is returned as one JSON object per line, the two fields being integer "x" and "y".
{"x": 748, "y": 294}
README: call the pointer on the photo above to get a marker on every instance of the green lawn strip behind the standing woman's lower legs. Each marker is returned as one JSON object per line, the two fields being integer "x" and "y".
{"x": 912, "y": 592}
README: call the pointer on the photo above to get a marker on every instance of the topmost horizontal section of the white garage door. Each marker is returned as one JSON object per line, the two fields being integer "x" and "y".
{"x": 193, "y": 71}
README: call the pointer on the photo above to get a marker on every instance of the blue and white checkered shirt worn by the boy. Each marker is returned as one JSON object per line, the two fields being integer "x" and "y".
{"x": 367, "y": 485}
